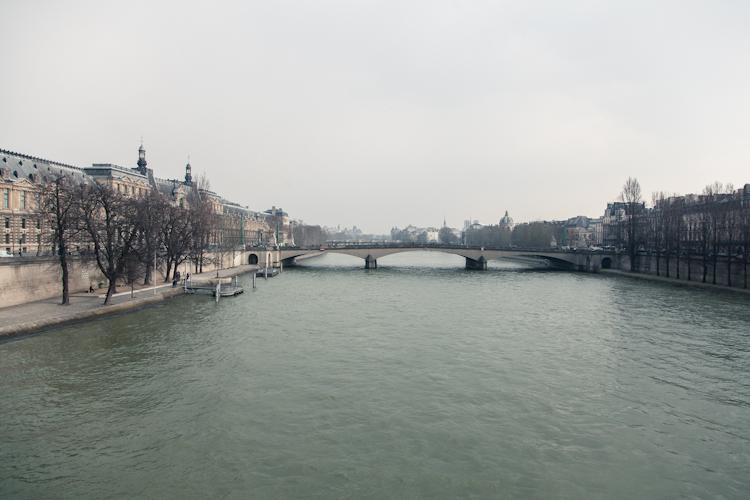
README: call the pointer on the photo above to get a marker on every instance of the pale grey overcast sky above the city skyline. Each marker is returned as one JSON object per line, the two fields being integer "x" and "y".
{"x": 382, "y": 114}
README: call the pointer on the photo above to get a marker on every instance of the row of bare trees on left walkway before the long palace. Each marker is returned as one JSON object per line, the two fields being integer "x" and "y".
{"x": 125, "y": 236}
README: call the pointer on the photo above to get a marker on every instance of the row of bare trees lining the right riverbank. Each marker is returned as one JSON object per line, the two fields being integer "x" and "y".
{"x": 710, "y": 228}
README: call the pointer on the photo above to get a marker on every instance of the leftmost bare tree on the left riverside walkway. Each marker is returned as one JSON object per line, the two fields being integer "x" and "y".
{"x": 60, "y": 209}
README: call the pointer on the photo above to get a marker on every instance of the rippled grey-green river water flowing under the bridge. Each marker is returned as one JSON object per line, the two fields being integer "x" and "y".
{"x": 415, "y": 380}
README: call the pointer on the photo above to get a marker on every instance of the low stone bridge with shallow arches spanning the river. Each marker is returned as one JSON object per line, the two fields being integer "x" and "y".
{"x": 476, "y": 257}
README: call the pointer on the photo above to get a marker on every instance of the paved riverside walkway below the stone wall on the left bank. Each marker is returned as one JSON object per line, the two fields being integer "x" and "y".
{"x": 48, "y": 314}
